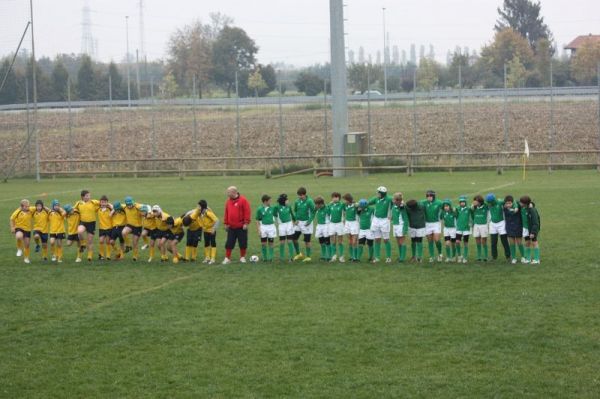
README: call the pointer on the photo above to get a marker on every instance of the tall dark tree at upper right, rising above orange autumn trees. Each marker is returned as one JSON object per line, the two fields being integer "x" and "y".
{"x": 523, "y": 16}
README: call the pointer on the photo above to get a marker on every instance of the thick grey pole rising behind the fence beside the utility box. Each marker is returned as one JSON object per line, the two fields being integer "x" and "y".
{"x": 339, "y": 96}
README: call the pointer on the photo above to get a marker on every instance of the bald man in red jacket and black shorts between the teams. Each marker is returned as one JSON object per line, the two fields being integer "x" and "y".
{"x": 236, "y": 221}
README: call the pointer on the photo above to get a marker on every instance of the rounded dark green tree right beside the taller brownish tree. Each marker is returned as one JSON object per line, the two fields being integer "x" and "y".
{"x": 233, "y": 51}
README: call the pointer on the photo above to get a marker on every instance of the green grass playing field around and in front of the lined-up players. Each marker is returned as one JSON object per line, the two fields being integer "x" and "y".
{"x": 122, "y": 329}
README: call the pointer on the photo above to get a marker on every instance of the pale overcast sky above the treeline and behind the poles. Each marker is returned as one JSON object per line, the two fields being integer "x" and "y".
{"x": 292, "y": 31}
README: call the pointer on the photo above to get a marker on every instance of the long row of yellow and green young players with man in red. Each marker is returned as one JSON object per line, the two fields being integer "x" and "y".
{"x": 342, "y": 226}
